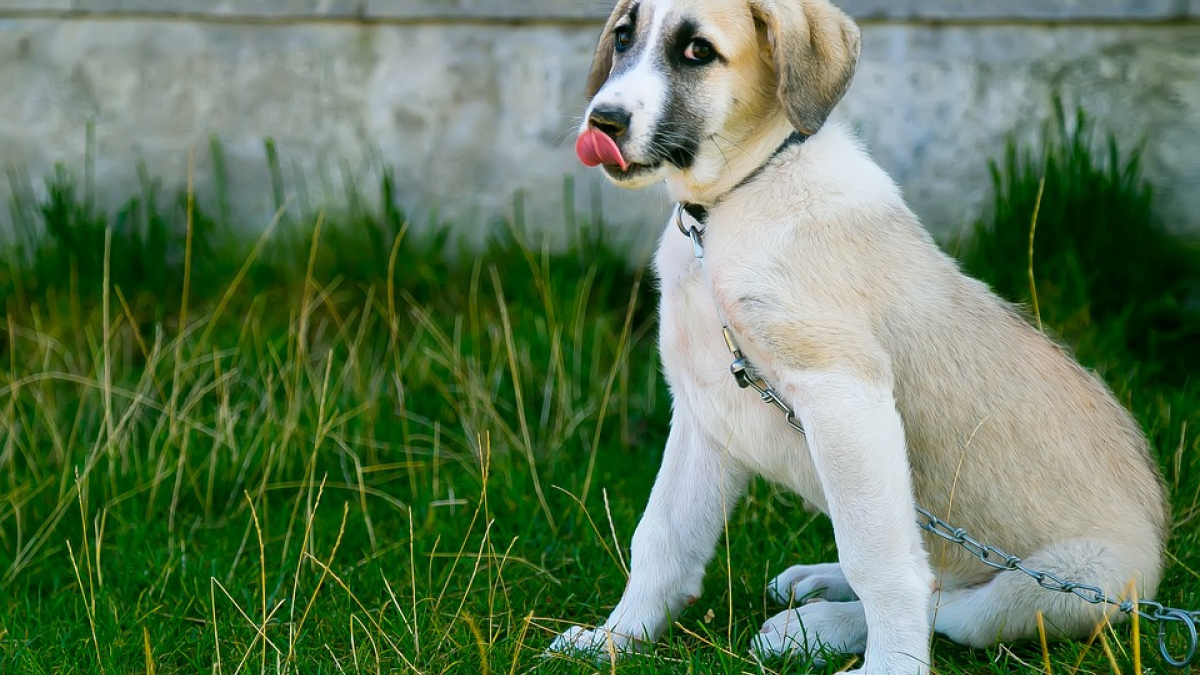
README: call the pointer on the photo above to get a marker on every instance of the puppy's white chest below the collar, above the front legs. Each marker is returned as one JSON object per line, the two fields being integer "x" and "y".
{"x": 698, "y": 365}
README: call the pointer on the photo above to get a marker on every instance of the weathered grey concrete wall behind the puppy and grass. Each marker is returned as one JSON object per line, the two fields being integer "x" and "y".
{"x": 473, "y": 100}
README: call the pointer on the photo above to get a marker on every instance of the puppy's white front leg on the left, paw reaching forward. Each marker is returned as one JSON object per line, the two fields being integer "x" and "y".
{"x": 697, "y": 488}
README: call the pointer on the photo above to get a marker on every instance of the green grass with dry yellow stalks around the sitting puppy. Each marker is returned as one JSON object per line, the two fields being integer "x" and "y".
{"x": 335, "y": 452}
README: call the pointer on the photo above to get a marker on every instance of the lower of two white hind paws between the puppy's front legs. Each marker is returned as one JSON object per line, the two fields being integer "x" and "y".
{"x": 813, "y": 629}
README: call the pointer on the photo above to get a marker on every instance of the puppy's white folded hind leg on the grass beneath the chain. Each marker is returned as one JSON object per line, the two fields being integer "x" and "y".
{"x": 1006, "y": 607}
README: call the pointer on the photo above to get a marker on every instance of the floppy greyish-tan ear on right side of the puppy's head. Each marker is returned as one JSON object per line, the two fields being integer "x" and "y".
{"x": 815, "y": 49}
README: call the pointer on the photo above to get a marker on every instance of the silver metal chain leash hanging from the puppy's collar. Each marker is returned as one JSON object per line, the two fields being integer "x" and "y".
{"x": 1150, "y": 611}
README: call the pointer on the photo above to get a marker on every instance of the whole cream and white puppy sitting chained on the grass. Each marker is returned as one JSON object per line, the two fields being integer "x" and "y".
{"x": 915, "y": 384}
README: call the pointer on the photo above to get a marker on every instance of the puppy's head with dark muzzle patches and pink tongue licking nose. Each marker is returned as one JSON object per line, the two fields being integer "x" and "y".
{"x": 677, "y": 85}
